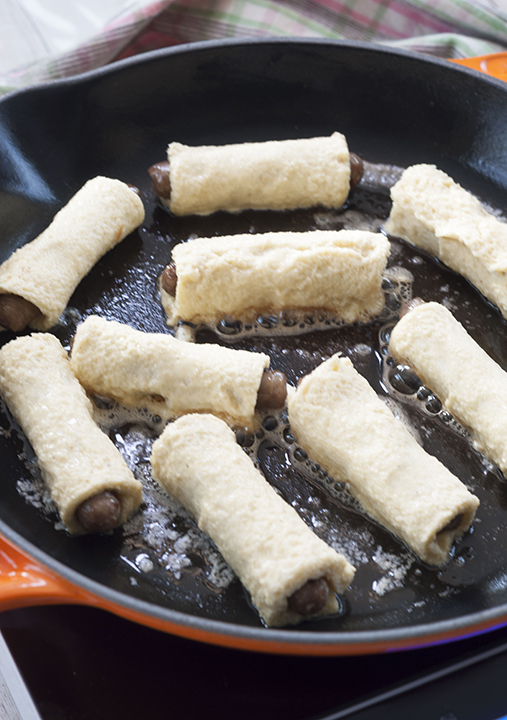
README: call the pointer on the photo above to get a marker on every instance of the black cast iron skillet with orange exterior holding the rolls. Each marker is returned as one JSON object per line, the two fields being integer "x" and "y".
{"x": 395, "y": 108}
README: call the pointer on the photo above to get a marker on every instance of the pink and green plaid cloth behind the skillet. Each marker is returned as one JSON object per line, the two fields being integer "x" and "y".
{"x": 444, "y": 28}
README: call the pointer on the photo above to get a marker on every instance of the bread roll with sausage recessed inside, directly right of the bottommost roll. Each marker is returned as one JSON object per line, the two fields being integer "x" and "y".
{"x": 342, "y": 423}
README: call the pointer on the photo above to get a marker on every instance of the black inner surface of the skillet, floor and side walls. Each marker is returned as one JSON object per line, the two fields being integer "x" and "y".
{"x": 112, "y": 125}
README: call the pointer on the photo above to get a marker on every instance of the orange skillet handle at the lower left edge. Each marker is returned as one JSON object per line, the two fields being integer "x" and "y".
{"x": 23, "y": 582}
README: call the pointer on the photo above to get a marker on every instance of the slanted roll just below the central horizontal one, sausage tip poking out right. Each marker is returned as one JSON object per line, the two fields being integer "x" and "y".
{"x": 167, "y": 376}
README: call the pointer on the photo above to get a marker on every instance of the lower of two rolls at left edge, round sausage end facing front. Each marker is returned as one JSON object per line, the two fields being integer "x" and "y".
{"x": 88, "y": 479}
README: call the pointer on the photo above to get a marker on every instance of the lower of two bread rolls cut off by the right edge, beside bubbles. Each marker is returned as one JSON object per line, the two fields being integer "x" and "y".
{"x": 470, "y": 384}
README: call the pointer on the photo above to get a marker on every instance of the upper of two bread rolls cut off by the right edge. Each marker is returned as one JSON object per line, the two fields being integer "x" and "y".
{"x": 433, "y": 212}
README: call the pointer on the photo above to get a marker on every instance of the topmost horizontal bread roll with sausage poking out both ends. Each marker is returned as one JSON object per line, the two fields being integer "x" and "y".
{"x": 273, "y": 175}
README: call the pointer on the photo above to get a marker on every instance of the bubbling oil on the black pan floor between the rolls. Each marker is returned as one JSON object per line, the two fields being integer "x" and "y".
{"x": 160, "y": 555}
